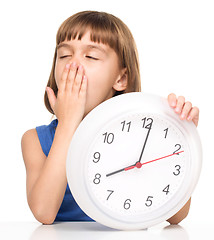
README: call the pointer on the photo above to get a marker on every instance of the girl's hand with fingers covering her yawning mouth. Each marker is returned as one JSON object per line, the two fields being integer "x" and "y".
{"x": 69, "y": 106}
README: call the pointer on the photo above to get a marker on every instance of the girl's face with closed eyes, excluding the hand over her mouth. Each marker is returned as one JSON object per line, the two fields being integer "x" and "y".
{"x": 101, "y": 66}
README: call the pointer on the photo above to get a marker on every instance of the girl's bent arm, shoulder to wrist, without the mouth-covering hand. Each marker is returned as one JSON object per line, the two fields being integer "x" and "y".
{"x": 46, "y": 177}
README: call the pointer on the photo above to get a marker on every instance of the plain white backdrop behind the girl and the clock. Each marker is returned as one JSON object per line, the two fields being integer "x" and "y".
{"x": 175, "y": 40}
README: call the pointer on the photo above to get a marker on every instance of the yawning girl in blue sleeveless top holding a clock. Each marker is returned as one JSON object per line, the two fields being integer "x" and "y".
{"x": 95, "y": 59}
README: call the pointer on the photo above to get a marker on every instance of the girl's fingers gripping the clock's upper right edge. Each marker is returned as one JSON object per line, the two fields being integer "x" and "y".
{"x": 184, "y": 109}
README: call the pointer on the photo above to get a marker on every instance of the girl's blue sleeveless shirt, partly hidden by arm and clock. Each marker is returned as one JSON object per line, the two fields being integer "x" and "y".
{"x": 69, "y": 209}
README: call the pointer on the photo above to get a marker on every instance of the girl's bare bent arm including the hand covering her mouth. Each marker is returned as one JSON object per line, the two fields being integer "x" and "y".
{"x": 46, "y": 177}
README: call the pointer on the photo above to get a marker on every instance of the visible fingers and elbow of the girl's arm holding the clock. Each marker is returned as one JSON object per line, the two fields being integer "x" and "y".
{"x": 189, "y": 113}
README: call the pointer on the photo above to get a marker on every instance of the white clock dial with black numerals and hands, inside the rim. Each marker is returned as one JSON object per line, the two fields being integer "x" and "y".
{"x": 135, "y": 165}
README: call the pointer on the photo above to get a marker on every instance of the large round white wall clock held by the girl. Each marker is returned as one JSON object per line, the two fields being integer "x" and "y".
{"x": 132, "y": 162}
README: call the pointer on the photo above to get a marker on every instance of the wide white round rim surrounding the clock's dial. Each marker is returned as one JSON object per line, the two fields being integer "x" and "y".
{"x": 93, "y": 123}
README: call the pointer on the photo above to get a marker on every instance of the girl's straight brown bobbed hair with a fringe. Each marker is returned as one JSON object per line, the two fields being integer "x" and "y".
{"x": 107, "y": 29}
